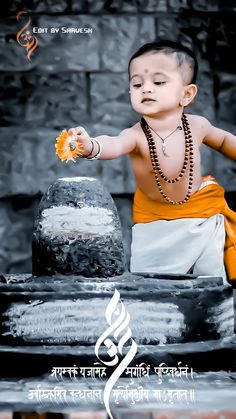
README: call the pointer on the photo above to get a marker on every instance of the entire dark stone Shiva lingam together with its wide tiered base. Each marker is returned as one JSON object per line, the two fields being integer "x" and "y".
{"x": 56, "y": 316}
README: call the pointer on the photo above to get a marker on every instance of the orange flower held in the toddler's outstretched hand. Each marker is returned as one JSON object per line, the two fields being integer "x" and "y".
{"x": 67, "y": 147}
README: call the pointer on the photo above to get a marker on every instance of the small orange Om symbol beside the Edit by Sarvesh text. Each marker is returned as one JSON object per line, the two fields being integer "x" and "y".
{"x": 24, "y": 36}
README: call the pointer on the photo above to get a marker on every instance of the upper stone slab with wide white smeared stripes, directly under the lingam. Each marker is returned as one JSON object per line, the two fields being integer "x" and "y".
{"x": 72, "y": 310}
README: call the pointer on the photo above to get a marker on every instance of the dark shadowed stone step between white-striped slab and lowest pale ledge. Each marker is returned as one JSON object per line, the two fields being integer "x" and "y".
{"x": 36, "y": 361}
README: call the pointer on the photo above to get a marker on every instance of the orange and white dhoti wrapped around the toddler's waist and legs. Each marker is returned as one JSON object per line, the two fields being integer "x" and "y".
{"x": 207, "y": 206}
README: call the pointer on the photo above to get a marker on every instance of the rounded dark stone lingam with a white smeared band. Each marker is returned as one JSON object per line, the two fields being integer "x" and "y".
{"x": 77, "y": 231}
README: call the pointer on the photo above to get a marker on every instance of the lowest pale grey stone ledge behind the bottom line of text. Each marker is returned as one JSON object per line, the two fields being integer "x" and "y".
{"x": 210, "y": 391}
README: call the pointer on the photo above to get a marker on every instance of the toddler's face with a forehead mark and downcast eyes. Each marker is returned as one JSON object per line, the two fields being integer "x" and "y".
{"x": 156, "y": 83}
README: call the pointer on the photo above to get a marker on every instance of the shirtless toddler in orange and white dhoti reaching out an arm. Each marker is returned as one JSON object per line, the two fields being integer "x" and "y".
{"x": 177, "y": 229}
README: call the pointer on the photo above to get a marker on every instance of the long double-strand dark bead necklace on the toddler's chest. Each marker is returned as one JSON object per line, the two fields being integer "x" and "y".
{"x": 188, "y": 158}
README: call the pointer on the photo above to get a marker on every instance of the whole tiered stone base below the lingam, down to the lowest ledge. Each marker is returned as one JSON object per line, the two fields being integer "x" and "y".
{"x": 176, "y": 321}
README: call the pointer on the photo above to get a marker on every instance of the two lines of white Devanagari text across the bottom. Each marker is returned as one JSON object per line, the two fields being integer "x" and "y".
{"x": 128, "y": 392}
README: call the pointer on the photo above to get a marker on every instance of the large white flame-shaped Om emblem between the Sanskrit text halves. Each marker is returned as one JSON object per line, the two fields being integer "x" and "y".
{"x": 117, "y": 328}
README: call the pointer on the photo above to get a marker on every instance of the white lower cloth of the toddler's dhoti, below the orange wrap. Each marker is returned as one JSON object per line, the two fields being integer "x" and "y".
{"x": 183, "y": 245}
